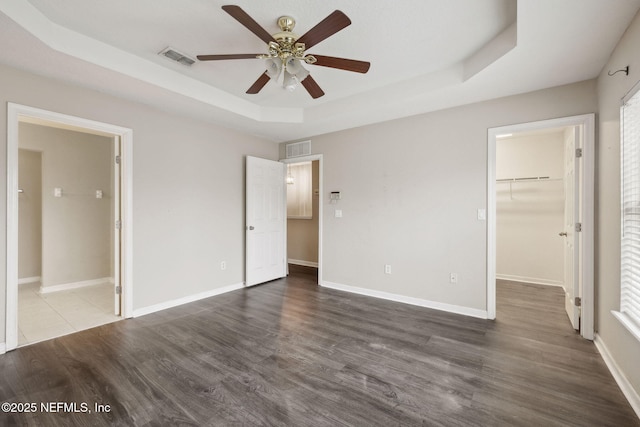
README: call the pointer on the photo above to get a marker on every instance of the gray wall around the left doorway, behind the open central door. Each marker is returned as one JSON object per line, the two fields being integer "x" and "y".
{"x": 188, "y": 188}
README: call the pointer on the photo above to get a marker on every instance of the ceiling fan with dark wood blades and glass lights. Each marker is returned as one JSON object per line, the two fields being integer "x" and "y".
{"x": 287, "y": 51}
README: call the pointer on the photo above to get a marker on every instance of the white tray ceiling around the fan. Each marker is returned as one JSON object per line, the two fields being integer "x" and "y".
{"x": 425, "y": 54}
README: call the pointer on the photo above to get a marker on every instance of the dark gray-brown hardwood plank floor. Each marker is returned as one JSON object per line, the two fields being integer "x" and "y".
{"x": 289, "y": 353}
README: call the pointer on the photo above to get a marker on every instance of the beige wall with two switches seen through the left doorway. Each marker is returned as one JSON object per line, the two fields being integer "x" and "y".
{"x": 76, "y": 228}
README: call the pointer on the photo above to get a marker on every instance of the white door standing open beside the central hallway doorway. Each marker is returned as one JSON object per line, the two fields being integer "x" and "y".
{"x": 265, "y": 221}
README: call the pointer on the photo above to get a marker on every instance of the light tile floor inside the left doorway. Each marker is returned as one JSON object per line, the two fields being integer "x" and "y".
{"x": 45, "y": 316}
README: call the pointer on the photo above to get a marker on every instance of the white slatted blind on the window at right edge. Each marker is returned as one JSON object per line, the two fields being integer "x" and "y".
{"x": 630, "y": 198}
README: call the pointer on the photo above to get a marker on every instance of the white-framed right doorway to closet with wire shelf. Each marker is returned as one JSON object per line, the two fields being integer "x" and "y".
{"x": 540, "y": 212}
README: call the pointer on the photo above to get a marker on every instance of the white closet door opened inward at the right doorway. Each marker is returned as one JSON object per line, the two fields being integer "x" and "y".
{"x": 571, "y": 215}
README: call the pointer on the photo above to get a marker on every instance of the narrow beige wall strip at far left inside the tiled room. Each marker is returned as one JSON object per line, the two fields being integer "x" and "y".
{"x": 30, "y": 214}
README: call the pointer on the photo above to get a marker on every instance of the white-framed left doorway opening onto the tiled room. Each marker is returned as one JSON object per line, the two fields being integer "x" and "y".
{"x": 69, "y": 224}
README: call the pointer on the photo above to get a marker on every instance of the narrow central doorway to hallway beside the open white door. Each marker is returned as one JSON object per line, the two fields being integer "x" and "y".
{"x": 304, "y": 214}
